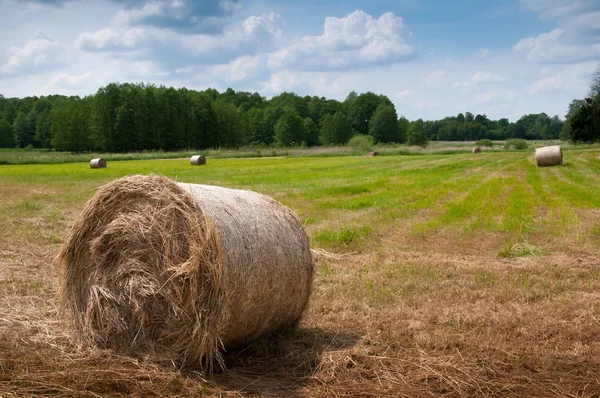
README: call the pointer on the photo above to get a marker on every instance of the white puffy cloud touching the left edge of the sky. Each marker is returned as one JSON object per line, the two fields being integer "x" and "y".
{"x": 41, "y": 53}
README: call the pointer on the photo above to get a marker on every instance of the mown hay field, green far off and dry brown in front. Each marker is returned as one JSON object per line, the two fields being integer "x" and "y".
{"x": 436, "y": 275}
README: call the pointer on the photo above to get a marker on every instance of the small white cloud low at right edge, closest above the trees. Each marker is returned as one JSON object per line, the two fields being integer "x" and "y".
{"x": 572, "y": 76}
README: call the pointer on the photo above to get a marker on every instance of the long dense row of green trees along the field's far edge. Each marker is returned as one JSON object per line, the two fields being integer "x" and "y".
{"x": 123, "y": 117}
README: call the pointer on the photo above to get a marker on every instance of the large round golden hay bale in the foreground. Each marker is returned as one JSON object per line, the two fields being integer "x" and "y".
{"x": 174, "y": 272}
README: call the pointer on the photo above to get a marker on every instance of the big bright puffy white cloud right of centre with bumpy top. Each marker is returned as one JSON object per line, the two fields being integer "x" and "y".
{"x": 354, "y": 41}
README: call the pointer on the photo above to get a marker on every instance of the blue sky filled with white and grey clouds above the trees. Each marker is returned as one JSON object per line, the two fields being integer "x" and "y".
{"x": 432, "y": 58}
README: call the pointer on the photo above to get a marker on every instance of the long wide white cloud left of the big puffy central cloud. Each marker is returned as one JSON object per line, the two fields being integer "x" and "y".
{"x": 254, "y": 34}
